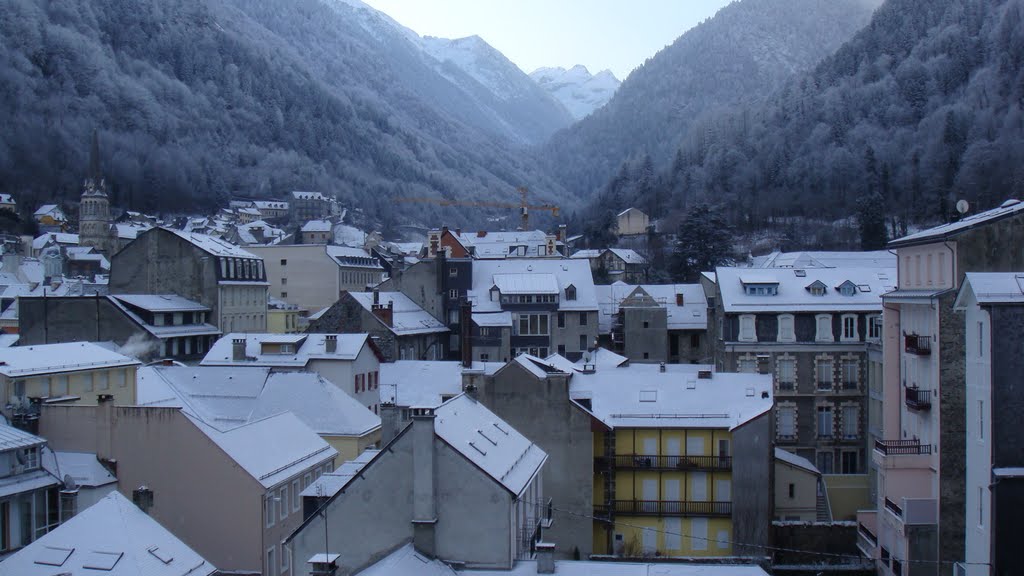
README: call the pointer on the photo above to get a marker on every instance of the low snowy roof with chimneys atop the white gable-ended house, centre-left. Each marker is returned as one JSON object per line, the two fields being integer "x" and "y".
{"x": 310, "y": 347}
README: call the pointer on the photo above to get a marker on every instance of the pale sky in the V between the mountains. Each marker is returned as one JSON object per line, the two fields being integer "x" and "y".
{"x": 618, "y": 35}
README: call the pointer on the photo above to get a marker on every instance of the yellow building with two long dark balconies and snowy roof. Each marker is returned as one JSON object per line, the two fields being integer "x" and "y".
{"x": 682, "y": 461}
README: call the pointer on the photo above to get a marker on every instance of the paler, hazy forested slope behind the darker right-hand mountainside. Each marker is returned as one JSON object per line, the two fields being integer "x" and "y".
{"x": 736, "y": 58}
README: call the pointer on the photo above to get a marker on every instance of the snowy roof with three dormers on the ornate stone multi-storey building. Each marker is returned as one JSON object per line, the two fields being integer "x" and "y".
{"x": 794, "y": 296}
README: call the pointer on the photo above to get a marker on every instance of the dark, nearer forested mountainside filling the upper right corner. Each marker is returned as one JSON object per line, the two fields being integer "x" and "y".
{"x": 921, "y": 109}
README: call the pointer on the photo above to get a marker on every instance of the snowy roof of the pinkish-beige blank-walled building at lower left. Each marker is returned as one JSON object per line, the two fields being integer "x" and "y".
{"x": 271, "y": 450}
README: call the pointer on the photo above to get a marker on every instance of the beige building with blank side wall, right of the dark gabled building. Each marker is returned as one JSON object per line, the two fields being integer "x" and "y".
{"x": 314, "y": 277}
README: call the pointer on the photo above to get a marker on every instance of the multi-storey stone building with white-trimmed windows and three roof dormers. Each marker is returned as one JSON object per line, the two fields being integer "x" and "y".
{"x": 810, "y": 328}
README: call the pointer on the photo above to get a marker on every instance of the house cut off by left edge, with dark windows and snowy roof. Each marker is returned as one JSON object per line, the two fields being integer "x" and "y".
{"x": 30, "y": 496}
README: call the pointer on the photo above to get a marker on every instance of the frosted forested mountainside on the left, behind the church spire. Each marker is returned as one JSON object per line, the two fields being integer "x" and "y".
{"x": 194, "y": 100}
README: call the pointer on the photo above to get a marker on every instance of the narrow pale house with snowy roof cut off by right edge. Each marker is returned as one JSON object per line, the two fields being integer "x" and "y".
{"x": 994, "y": 307}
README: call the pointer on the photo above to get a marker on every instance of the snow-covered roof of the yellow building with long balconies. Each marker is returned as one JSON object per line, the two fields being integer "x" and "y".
{"x": 642, "y": 396}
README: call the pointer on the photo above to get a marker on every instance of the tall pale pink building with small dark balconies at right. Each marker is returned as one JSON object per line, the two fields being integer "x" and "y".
{"x": 921, "y": 514}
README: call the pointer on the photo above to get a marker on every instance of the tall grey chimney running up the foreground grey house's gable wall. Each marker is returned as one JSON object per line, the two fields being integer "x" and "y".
{"x": 424, "y": 475}
